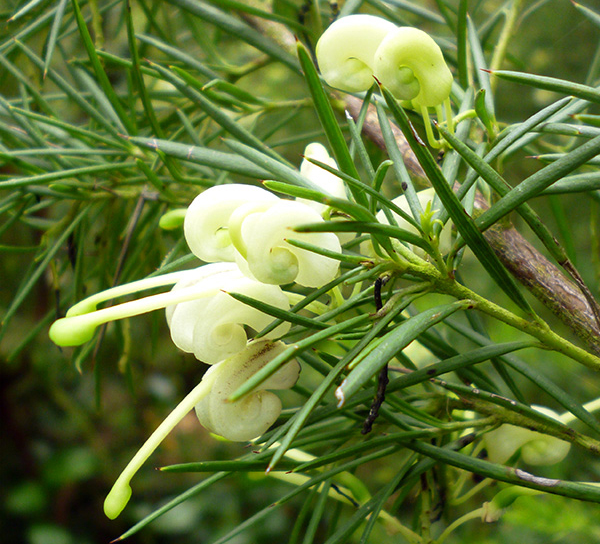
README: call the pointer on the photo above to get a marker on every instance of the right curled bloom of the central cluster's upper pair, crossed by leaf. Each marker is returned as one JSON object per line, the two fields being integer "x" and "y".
{"x": 270, "y": 259}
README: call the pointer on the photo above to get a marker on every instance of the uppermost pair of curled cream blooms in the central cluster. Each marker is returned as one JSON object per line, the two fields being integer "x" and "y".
{"x": 253, "y": 232}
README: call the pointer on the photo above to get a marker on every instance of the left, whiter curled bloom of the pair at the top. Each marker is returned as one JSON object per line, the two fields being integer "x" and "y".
{"x": 346, "y": 51}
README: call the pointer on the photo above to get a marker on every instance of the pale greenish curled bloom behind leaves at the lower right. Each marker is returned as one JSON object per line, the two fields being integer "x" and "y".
{"x": 536, "y": 448}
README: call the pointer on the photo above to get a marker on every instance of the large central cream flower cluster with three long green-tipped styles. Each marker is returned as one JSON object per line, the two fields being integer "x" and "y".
{"x": 241, "y": 231}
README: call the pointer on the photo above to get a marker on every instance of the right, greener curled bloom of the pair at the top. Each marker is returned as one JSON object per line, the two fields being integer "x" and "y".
{"x": 412, "y": 66}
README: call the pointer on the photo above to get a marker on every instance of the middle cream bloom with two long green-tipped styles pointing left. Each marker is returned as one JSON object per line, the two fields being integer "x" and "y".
{"x": 202, "y": 317}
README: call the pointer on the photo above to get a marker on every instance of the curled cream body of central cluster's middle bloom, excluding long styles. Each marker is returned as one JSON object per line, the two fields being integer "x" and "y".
{"x": 212, "y": 326}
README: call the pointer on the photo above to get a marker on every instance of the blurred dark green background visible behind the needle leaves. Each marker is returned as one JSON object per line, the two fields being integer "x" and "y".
{"x": 67, "y": 431}
